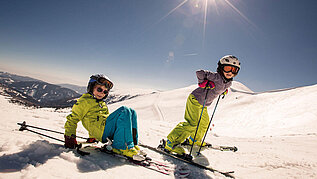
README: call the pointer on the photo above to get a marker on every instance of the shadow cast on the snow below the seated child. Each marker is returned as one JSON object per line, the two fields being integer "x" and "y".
{"x": 39, "y": 152}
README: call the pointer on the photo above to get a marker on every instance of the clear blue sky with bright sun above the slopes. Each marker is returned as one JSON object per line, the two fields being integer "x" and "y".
{"x": 160, "y": 43}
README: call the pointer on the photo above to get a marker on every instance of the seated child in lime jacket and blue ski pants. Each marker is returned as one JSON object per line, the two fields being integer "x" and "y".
{"x": 91, "y": 109}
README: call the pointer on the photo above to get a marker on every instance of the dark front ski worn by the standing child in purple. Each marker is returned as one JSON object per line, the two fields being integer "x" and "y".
{"x": 160, "y": 149}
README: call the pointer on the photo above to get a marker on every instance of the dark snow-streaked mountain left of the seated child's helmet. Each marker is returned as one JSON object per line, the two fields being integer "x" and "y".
{"x": 33, "y": 92}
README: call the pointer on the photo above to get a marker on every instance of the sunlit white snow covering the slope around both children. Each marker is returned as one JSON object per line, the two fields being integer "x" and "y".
{"x": 275, "y": 132}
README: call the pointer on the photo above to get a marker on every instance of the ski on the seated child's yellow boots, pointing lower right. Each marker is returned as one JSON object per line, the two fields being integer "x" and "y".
{"x": 146, "y": 163}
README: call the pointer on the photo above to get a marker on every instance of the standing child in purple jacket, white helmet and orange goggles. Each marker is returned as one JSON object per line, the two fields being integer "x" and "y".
{"x": 218, "y": 83}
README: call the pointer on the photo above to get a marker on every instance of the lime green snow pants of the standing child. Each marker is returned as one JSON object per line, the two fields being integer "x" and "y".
{"x": 185, "y": 129}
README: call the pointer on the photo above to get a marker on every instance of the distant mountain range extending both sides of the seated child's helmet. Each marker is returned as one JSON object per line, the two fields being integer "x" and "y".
{"x": 33, "y": 92}
